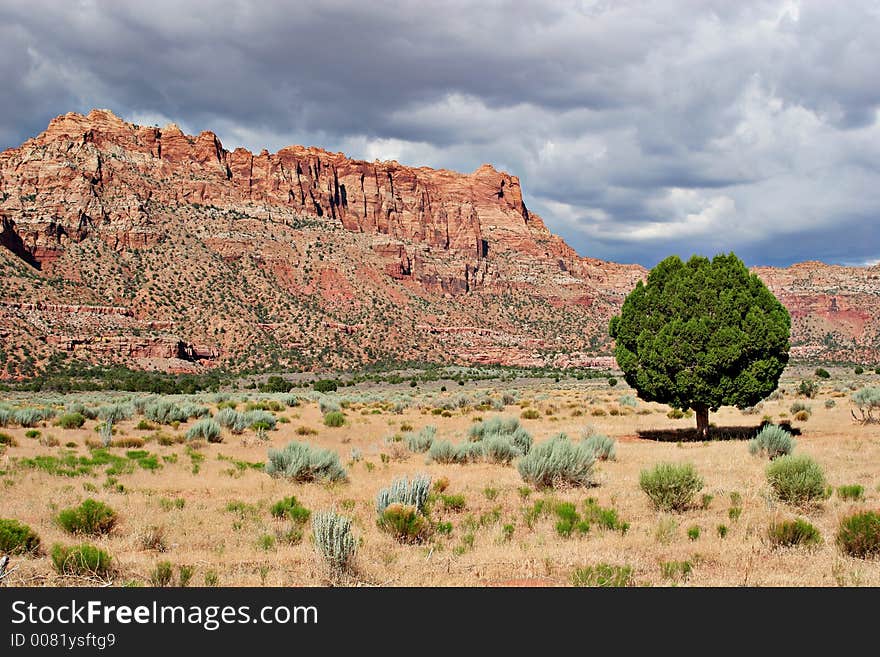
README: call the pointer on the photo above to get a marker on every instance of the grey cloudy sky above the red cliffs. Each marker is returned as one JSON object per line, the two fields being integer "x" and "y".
{"x": 637, "y": 129}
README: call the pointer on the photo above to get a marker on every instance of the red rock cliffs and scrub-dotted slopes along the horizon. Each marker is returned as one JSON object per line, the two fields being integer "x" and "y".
{"x": 150, "y": 247}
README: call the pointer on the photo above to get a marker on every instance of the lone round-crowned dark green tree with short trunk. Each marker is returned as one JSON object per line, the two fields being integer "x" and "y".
{"x": 702, "y": 335}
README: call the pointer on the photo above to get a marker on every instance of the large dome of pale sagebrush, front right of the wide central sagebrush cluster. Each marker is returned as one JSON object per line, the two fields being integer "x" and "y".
{"x": 558, "y": 462}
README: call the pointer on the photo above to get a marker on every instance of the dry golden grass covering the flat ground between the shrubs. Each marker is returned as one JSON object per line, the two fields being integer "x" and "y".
{"x": 204, "y": 534}
